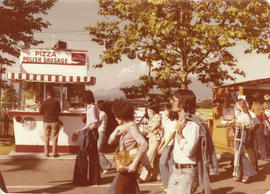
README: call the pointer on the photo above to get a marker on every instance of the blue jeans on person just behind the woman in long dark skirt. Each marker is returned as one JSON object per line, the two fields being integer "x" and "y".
{"x": 103, "y": 161}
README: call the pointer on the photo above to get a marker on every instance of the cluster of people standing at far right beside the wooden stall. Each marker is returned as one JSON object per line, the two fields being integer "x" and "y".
{"x": 251, "y": 132}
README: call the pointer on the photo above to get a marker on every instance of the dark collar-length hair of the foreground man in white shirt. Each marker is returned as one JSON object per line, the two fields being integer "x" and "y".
{"x": 187, "y": 99}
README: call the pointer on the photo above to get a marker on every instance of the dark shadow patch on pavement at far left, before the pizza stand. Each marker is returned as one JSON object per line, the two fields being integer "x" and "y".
{"x": 19, "y": 164}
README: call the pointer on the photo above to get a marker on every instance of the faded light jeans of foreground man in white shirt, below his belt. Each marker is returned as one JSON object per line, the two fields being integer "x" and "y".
{"x": 183, "y": 181}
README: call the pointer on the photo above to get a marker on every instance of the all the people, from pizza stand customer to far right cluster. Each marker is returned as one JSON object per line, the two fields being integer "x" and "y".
{"x": 177, "y": 148}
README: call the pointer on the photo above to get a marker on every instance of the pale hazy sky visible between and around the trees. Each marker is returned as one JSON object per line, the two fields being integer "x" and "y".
{"x": 68, "y": 17}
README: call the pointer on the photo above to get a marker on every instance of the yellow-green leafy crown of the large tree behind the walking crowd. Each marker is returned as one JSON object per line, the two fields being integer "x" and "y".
{"x": 178, "y": 39}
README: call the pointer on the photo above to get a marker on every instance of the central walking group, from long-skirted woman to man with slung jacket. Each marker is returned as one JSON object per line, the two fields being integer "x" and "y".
{"x": 177, "y": 149}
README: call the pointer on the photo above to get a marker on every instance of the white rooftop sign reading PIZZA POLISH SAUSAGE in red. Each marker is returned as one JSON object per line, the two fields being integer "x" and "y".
{"x": 54, "y": 62}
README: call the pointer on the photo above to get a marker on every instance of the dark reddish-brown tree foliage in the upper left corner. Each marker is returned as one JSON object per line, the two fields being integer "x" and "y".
{"x": 19, "y": 20}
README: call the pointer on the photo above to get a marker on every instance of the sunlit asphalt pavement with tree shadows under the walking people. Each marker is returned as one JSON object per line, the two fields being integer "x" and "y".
{"x": 34, "y": 173}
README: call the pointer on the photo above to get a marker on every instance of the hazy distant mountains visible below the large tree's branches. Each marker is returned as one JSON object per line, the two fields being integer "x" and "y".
{"x": 200, "y": 90}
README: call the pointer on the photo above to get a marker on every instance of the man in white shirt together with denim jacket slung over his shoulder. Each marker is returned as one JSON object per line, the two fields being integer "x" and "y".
{"x": 193, "y": 152}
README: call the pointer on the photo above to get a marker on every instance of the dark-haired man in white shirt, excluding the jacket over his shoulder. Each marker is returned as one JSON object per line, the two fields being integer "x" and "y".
{"x": 186, "y": 140}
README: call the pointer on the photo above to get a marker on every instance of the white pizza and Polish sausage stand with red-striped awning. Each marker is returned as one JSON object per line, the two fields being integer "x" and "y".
{"x": 65, "y": 72}
